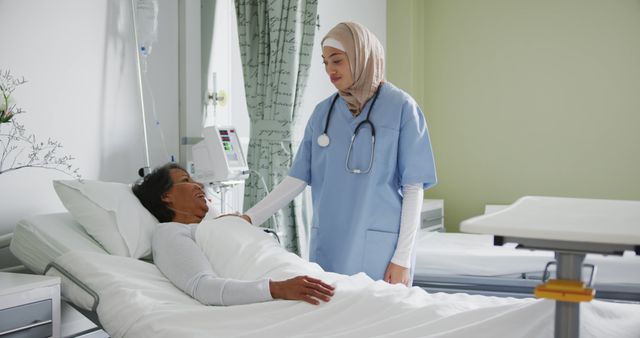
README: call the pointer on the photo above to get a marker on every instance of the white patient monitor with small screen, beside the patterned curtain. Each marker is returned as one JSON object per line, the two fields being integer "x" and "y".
{"x": 218, "y": 158}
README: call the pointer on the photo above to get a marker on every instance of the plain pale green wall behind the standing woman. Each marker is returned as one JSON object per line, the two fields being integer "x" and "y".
{"x": 538, "y": 97}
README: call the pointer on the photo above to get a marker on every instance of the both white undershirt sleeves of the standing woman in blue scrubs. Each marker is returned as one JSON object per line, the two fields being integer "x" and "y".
{"x": 290, "y": 187}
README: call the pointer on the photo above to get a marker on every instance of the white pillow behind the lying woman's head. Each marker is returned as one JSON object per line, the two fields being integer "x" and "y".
{"x": 110, "y": 213}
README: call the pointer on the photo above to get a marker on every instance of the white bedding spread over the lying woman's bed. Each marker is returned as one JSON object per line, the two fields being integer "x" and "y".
{"x": 137, "y": 301}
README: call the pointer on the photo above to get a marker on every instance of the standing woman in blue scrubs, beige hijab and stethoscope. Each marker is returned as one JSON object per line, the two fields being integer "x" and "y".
{"x": 367, "y": 156}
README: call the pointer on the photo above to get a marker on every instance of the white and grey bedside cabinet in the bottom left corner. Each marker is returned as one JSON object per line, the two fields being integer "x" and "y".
{"x": 29, "y": 306}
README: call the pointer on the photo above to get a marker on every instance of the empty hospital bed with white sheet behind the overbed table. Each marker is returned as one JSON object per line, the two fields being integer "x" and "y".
{"x": 471, "y": 263}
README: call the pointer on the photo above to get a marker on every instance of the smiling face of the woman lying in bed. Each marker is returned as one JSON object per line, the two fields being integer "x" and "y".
{"x": 186, "y": 198}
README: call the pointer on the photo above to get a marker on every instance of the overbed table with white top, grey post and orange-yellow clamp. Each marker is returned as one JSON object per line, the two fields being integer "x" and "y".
{"x": 571, "y": 227}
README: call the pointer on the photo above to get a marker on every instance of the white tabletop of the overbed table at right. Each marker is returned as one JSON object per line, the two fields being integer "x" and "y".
{"x": 563, "y": 219}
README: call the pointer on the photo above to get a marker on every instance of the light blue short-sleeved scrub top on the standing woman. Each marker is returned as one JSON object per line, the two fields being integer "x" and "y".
{"x": 356, "y": 217}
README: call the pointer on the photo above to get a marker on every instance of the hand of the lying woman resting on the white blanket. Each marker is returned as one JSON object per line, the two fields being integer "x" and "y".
{"x": 303, "y": 288}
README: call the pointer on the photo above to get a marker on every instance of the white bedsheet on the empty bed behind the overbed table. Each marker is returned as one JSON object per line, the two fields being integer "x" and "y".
{"x": 463, "y": 254}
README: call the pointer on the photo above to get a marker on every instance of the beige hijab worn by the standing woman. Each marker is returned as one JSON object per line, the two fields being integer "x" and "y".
{"x": 366, "y": 58}
